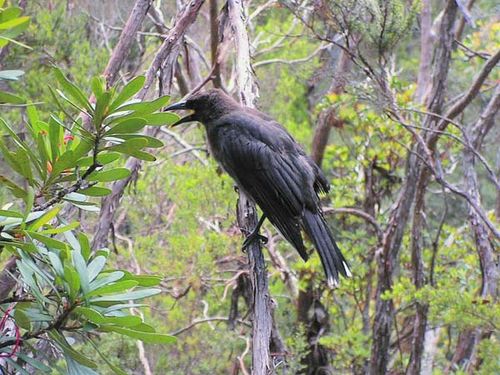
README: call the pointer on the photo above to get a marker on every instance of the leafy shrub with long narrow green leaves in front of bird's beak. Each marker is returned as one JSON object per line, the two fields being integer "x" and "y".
{"x": 65, "y": 291}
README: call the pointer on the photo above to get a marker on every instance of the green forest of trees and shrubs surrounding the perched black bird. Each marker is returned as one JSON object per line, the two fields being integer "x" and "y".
{"x": 396, "y": 100}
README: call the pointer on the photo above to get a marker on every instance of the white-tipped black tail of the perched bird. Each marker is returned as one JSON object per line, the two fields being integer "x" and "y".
{"x": 332, "y": 259}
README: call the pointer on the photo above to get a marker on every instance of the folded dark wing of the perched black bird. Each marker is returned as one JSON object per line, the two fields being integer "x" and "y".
{"x": 263, "y": 160}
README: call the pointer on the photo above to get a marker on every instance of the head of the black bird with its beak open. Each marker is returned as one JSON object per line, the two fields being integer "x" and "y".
{"x": 206, "y": 106}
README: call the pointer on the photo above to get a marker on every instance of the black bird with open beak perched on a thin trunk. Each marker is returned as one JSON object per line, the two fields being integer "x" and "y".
{"x": 267, "y": 164}
